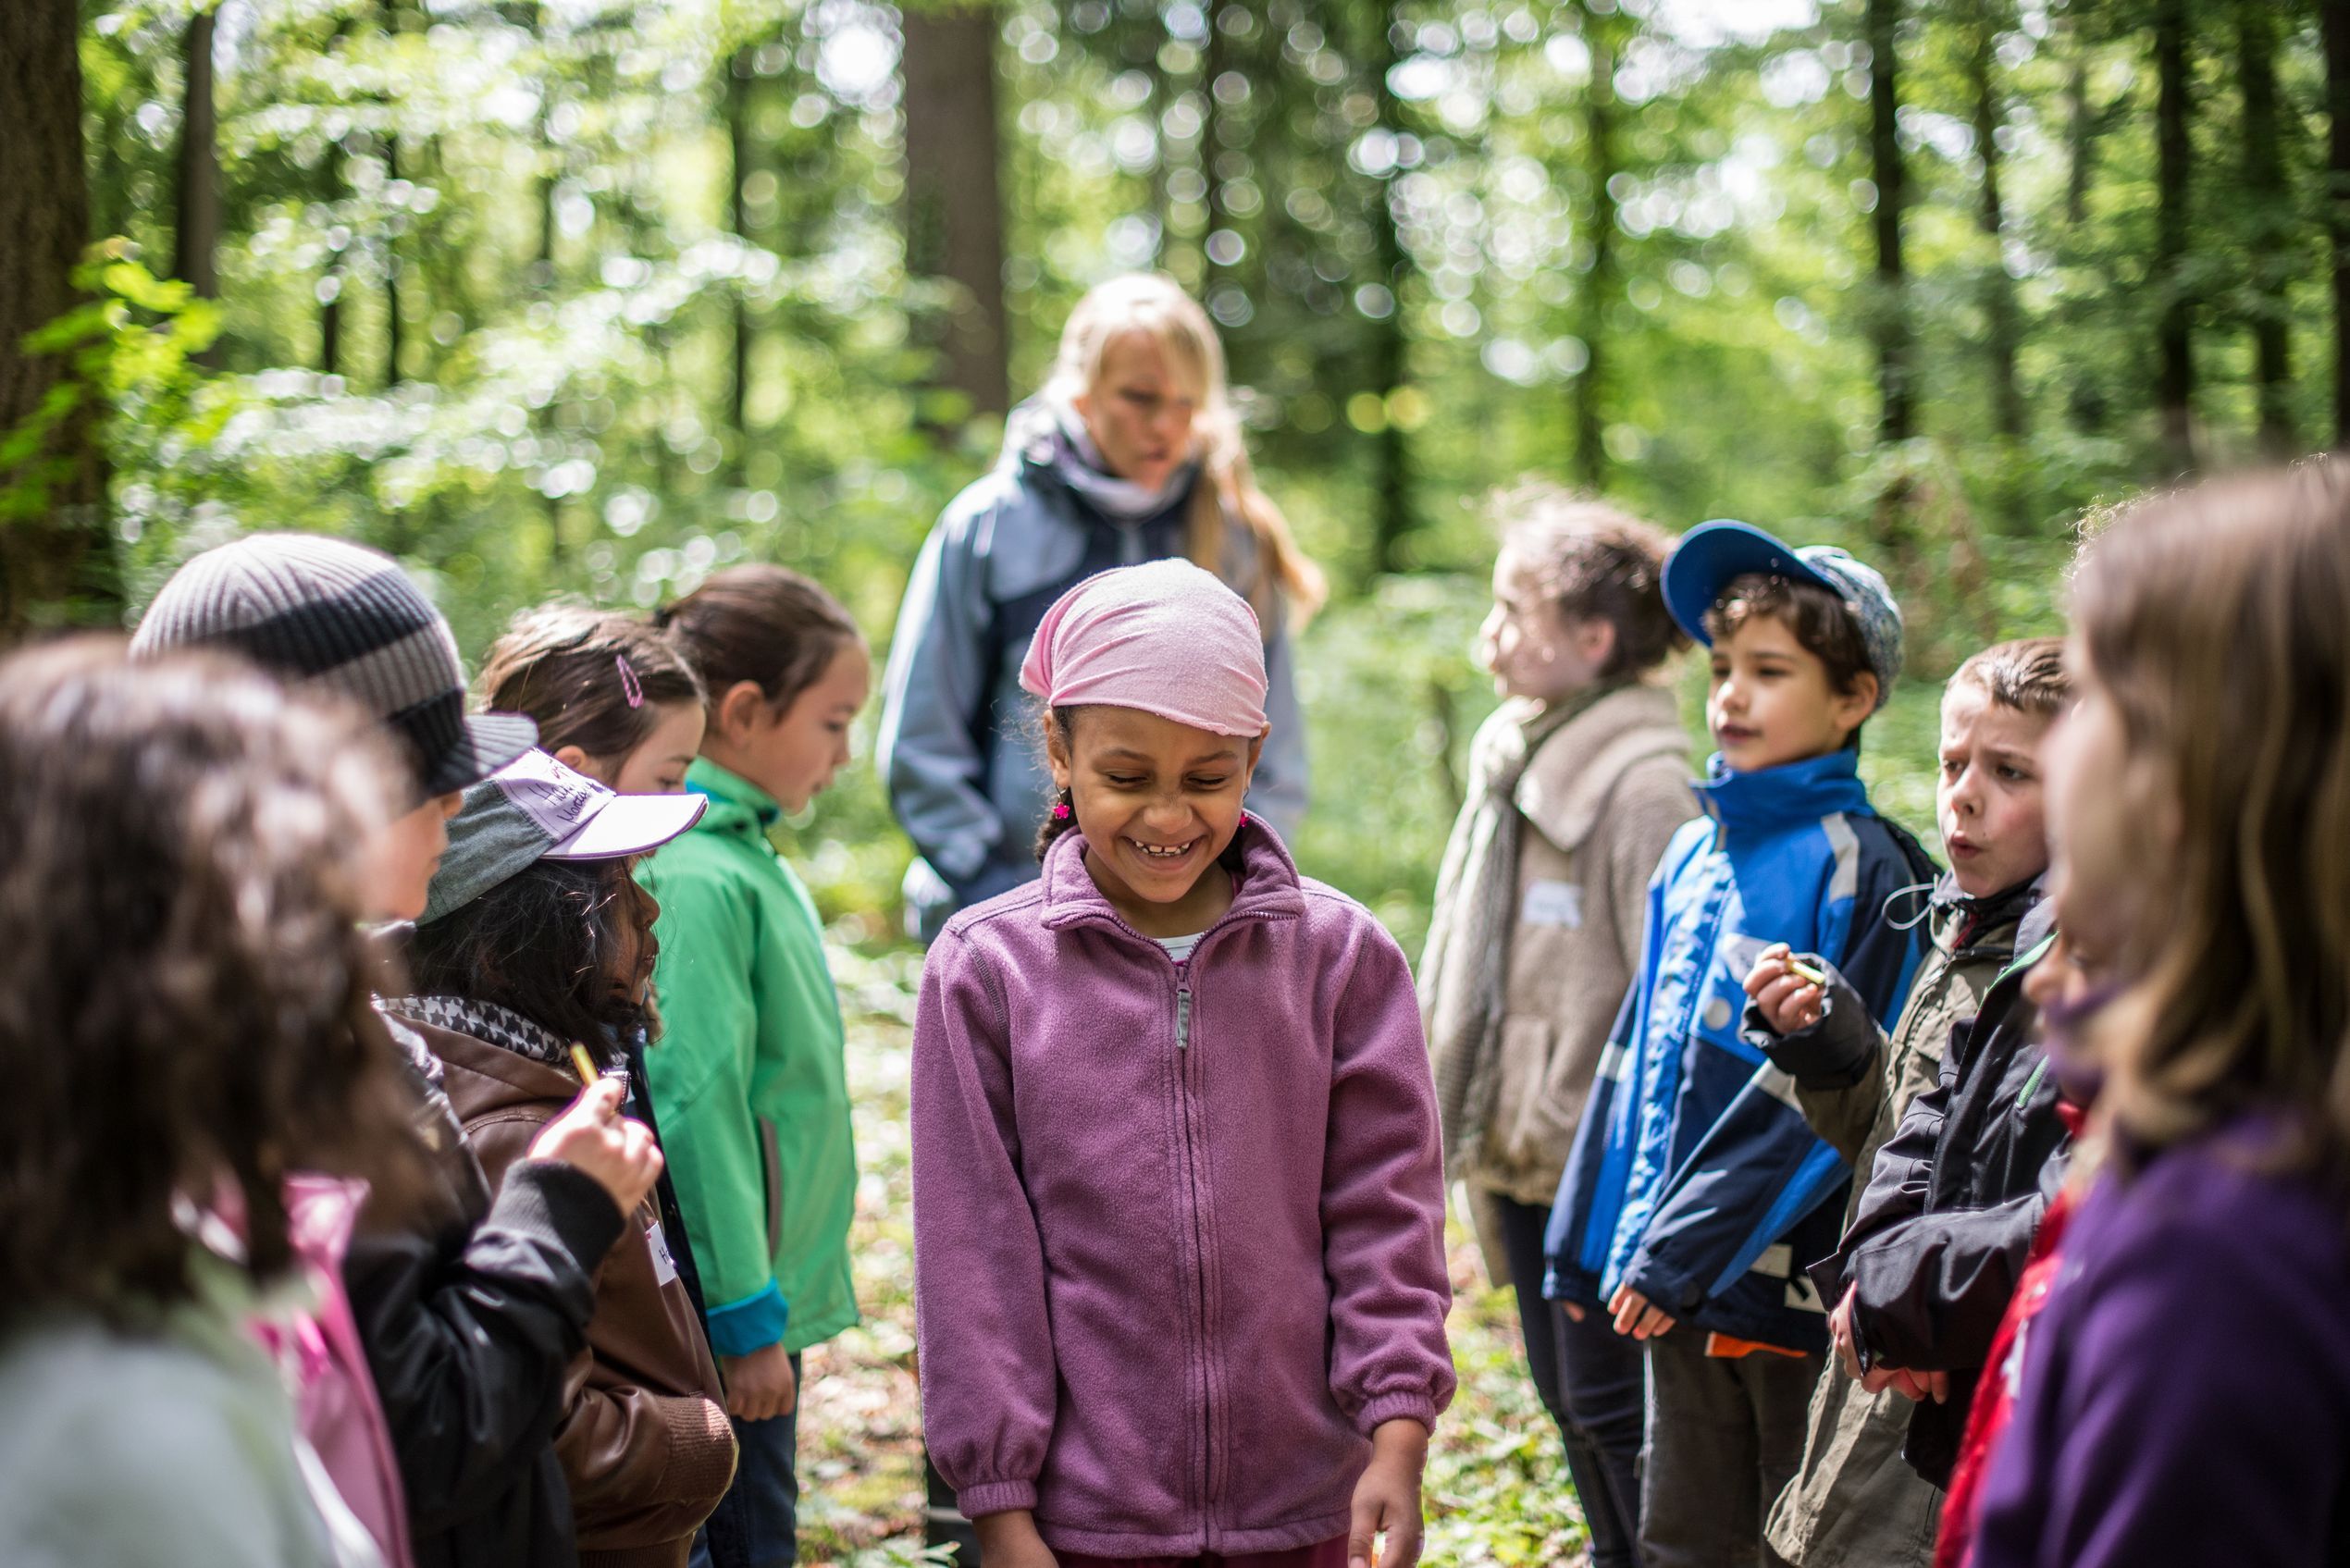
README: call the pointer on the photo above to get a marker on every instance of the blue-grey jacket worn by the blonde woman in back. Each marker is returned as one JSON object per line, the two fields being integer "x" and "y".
{"x": 960, "y": 751}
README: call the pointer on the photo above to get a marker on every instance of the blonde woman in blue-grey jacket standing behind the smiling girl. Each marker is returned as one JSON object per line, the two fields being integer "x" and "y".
{"x": 1132, "y": 453}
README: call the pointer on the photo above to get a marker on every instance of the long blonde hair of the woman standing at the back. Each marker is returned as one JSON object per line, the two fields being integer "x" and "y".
{"x": 1157, "y": 307}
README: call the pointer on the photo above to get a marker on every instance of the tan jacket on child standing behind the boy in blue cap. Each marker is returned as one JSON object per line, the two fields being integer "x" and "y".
{"x": 1602, "y": 798}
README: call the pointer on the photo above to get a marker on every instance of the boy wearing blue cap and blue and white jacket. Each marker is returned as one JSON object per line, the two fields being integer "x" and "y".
{"x": 1696, "y": 1191}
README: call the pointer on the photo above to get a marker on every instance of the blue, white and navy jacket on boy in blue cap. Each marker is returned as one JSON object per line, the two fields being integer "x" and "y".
{"x": 1696, "y": 1177}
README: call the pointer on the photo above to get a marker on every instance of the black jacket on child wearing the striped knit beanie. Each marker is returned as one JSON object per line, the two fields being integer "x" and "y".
{"x": 469, "y": 1318}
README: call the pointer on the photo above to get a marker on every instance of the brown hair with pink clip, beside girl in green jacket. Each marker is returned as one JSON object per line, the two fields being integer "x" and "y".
{"x": 575, "y": 671}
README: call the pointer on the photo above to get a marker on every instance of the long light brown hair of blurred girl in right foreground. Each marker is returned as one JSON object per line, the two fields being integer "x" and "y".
{"x": 2217, "y": 619}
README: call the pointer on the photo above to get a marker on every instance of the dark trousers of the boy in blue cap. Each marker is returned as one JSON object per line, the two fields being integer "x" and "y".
{"x": 1724, "y": 1440}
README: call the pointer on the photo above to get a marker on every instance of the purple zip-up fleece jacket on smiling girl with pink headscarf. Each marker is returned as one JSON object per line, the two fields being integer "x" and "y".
{"x": 1179, "y": 1231}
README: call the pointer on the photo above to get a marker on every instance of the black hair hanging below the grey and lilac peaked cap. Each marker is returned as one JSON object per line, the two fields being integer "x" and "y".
{"x": 546, "y": 944}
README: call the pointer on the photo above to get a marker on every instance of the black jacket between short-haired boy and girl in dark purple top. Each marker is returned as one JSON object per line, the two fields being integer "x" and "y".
{"x": 1947, "y": 1221}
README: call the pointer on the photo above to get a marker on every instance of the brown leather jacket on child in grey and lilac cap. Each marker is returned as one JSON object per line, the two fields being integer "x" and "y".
{"x": 645, "y": 1438}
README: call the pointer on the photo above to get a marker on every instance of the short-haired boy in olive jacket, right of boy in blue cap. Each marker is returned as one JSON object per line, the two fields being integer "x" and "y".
{"x": 1855, "y": 1499}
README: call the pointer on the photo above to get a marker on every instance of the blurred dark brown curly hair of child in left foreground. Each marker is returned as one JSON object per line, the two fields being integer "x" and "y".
{"x": 184, "y": 989}
